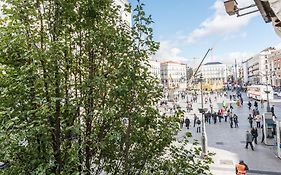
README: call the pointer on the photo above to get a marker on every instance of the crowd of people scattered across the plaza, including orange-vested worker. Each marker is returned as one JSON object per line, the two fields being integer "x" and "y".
{"x": 221, "y": 112}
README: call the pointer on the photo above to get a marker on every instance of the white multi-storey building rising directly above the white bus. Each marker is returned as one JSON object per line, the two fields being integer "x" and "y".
{"x": 257, "y": 67}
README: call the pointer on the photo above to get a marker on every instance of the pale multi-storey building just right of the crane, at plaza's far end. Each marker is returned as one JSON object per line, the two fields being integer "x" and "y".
{"x": 214, "y": 73}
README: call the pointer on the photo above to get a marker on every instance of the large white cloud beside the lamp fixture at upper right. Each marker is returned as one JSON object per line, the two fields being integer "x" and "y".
{"x": 220, "y": 23}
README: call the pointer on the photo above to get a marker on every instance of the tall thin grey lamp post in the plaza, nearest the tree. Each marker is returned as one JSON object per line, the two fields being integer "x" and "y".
{"x": 204, "y": 136}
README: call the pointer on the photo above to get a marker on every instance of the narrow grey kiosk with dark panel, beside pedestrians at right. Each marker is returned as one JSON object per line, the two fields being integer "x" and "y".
{"x": 268, "y": 128}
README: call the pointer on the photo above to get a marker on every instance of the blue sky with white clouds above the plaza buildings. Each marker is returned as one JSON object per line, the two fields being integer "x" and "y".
{"x": 186, "y": 29}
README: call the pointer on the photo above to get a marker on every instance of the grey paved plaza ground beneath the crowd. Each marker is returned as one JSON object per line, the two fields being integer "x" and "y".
{"x": 229, "y": 143}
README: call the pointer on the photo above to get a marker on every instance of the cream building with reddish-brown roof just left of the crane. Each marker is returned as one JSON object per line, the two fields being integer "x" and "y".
{"x": 173, "y": 75}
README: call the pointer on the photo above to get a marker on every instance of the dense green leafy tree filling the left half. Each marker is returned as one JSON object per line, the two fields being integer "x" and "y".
{"x": 76, "y": 93}
